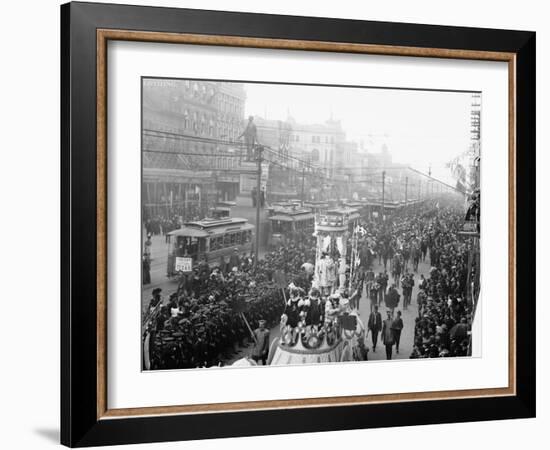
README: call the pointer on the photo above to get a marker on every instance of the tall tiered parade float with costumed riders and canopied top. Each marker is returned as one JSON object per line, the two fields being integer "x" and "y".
{"x": 323, "y": 326}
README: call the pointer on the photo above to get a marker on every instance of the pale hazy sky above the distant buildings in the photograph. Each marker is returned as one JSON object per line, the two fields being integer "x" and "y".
{"x": 419, "y": 127}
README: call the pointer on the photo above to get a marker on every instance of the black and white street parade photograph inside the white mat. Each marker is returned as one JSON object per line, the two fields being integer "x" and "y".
{"x": 288, "y": 224}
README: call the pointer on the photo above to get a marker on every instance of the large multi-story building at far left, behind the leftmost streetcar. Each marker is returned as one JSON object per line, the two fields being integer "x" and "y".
{"x": 189, "y": 131}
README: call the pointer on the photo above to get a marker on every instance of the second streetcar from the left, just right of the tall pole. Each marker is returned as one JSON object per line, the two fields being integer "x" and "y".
{"x": 288, "y": 223}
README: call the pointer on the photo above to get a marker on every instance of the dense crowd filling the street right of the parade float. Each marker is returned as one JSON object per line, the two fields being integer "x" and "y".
{"x": 443, "y": 325}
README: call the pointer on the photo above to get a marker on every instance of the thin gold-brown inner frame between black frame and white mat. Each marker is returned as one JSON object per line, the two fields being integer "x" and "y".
{"x": 104, "y": 35}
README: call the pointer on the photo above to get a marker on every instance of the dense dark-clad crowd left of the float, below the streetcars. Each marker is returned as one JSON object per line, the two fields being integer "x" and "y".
{"x": 210, "y": 314}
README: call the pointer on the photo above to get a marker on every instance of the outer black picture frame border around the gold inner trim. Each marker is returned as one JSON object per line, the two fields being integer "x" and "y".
{"x": 80, "y": 425}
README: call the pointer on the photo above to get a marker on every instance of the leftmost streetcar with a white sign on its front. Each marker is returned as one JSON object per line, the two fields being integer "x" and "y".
{"x": 207, "y": 240}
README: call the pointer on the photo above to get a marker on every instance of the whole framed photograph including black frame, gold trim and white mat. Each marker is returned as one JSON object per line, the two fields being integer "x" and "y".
{"x": 276, "y": 224}
